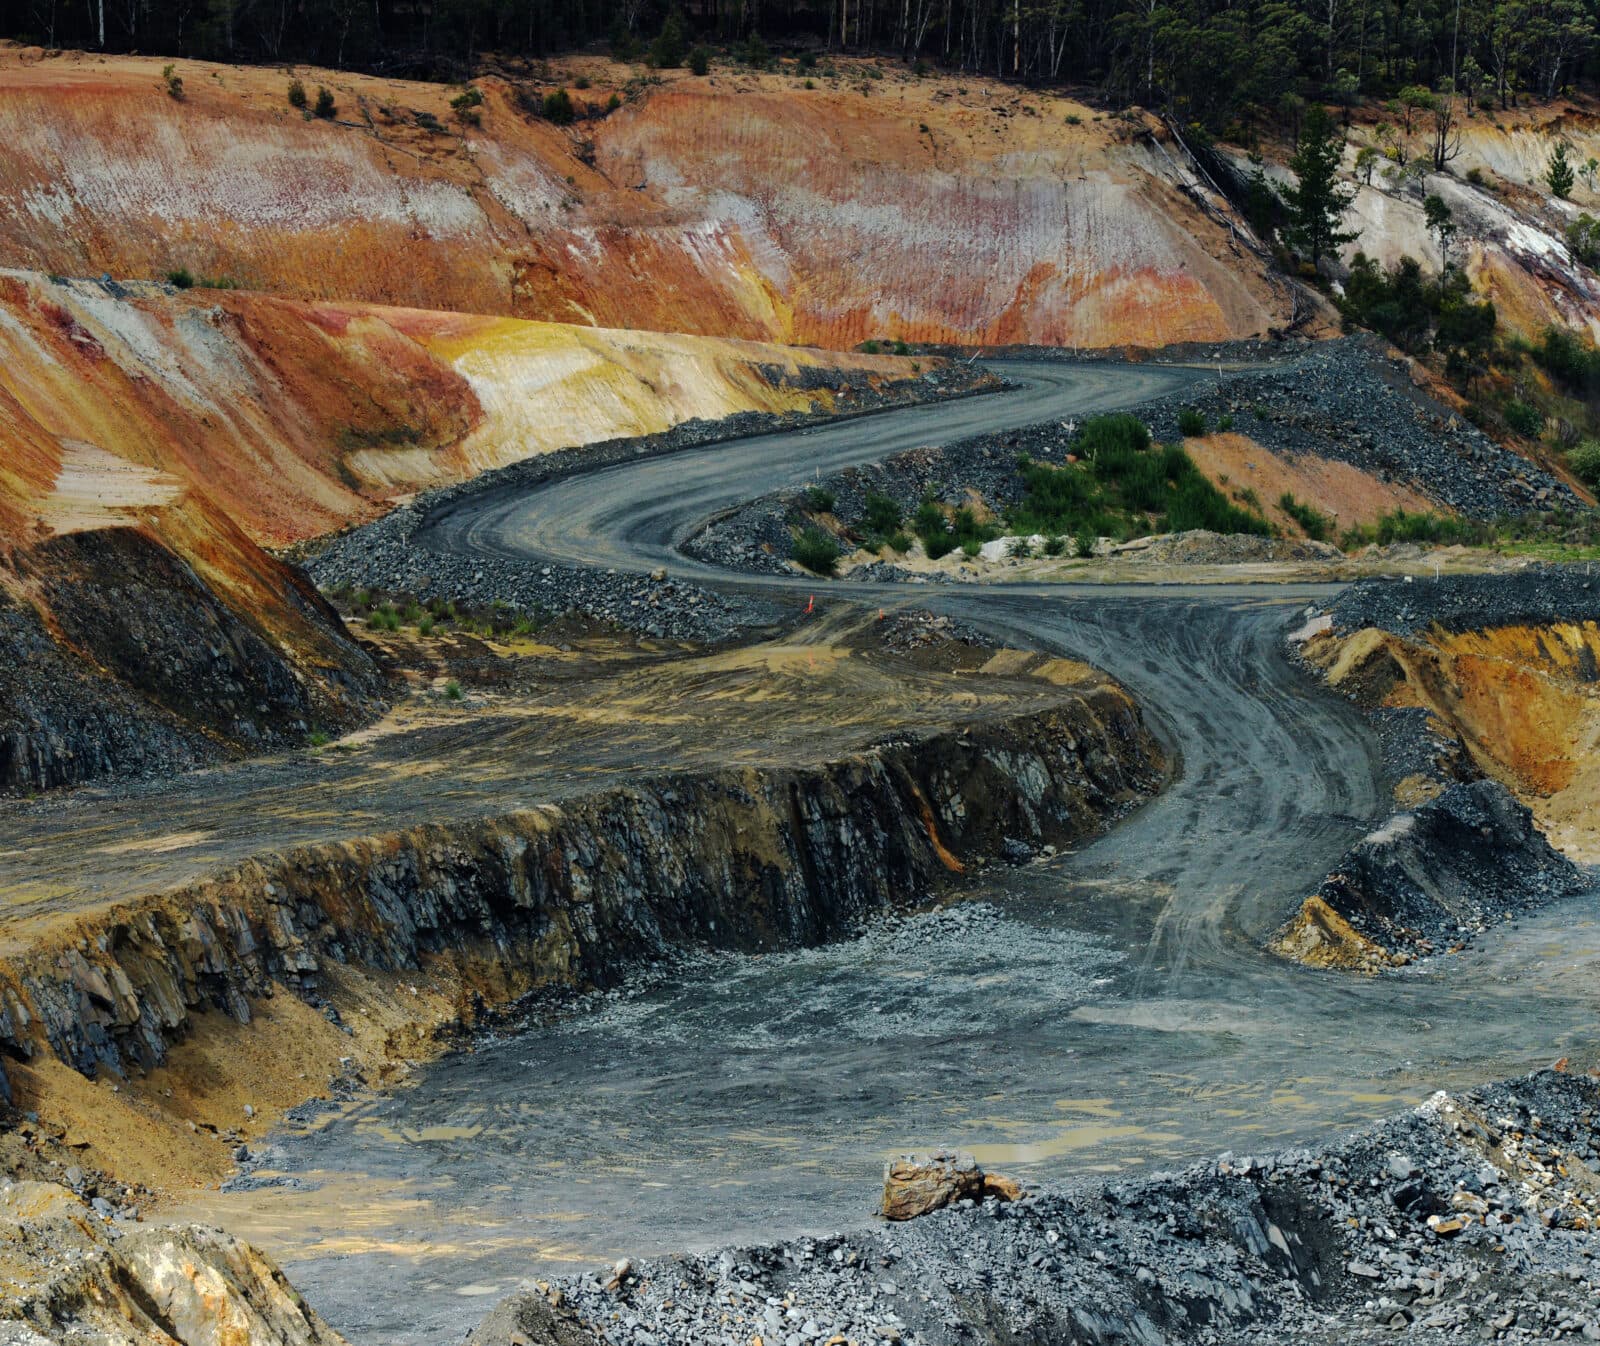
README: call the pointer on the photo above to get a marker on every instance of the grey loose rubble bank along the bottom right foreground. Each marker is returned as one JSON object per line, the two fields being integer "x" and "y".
{"x": 1471, "y": 1219}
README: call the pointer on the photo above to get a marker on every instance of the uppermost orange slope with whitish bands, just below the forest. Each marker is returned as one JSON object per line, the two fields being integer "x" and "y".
{"x": 874, "y": 204}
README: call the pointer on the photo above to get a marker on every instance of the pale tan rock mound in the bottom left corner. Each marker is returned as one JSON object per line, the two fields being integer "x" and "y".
{"x": 68, "y": 1275}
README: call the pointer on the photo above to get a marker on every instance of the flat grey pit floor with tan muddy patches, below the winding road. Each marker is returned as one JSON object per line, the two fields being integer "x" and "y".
{"x": 745, "y": 1099}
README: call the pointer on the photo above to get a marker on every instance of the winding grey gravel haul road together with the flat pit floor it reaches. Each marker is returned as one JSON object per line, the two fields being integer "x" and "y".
{"x": 1097, "y": 1012}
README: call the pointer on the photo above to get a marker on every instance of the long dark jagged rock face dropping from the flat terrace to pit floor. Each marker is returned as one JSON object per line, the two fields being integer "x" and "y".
{"x": 578, "y": 895}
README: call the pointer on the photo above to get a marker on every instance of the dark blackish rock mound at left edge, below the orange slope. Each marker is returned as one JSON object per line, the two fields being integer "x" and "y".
{"x": 124, "y": 660}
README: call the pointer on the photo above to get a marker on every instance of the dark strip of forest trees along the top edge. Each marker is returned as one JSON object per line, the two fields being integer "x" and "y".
{"x": 1207, "y": 62}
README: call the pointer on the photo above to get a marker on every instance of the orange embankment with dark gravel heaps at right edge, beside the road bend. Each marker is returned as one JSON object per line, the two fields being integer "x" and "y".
{"x": 1487, "y": 699}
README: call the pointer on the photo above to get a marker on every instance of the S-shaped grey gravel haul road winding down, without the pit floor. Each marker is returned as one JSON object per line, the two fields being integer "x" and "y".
{"x": 1278, "y": 779}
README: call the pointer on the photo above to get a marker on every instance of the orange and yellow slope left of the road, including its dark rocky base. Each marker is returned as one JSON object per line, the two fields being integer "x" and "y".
{"x": 153, "y": 441}
